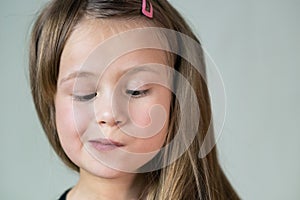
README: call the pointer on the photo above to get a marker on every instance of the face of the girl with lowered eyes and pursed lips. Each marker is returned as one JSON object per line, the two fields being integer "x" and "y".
{"x": 126, "y": 105}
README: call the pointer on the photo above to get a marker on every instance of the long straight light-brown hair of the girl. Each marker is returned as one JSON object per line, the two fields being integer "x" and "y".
{"x": 189, "y": 177}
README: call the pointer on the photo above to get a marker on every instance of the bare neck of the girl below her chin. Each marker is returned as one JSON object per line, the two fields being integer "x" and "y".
{"x": 89, "y": 186}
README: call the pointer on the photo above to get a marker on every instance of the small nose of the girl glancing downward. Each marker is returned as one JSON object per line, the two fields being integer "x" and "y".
{"x": 107, "y": 112}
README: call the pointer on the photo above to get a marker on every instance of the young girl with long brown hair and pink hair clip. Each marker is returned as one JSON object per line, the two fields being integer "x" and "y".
{"x": 121, "y": 103}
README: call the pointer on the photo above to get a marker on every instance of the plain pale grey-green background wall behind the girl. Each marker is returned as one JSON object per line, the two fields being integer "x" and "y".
{"x": 256, "y": 45}
